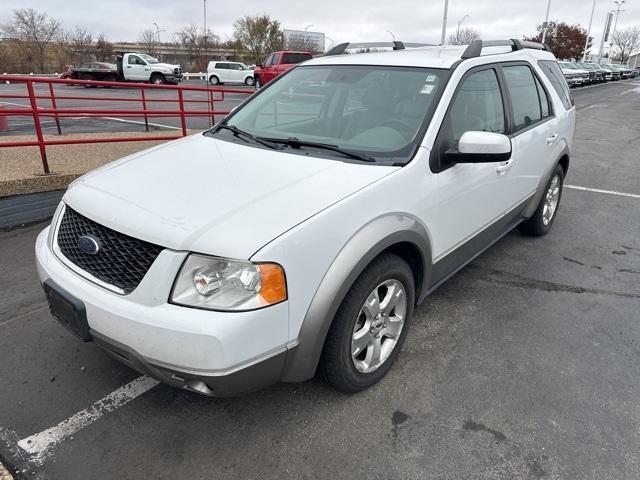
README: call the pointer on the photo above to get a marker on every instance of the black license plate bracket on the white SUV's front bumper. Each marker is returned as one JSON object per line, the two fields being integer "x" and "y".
{"x": 68, "y": 310}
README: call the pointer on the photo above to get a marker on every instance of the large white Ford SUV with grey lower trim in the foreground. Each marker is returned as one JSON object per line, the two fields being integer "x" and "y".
{"x": 298, "y": 235}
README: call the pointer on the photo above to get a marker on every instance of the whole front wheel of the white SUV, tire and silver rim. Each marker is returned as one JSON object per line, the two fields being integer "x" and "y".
{"x": 370, "y": 326}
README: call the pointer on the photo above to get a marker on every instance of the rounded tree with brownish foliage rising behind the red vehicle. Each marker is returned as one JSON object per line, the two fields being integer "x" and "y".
{"x": 259, "y": 34}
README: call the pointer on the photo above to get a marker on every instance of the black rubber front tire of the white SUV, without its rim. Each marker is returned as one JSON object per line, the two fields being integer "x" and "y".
{"x": 340, "y": 370}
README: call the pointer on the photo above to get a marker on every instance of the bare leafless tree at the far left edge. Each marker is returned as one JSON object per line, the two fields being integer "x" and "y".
{"x": 32, "y": 33}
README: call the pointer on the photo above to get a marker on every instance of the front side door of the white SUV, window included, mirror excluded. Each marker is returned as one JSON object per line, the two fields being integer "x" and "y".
{"x": 476, "y": 201}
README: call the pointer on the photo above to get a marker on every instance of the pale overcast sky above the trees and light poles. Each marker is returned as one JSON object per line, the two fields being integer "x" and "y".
{"x": 354, "y": 20}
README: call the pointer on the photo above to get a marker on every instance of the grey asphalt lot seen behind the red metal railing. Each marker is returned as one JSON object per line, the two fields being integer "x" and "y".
{"x": 24, "y": 125}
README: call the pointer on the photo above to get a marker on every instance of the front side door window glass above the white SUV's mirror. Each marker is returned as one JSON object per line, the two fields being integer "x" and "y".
{"x": 477, "y": 106}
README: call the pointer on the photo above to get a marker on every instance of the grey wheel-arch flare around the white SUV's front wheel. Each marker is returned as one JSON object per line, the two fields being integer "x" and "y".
{"x": 362, "y": 248}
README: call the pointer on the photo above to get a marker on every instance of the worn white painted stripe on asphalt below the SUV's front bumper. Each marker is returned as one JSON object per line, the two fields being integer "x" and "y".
{"x": 38, "y": 445}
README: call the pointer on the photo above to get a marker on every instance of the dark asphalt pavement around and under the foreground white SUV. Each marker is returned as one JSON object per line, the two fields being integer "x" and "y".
{"x": 526, "y": 364}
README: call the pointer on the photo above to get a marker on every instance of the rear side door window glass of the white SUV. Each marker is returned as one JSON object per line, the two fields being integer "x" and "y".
{"x": 524, "y": 96}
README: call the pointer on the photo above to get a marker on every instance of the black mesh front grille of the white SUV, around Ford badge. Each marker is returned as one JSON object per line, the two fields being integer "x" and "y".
{"x": 121, "y": 260}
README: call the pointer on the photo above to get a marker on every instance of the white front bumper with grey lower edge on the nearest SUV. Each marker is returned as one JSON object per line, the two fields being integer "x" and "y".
{"x": 169, "y": 341}
